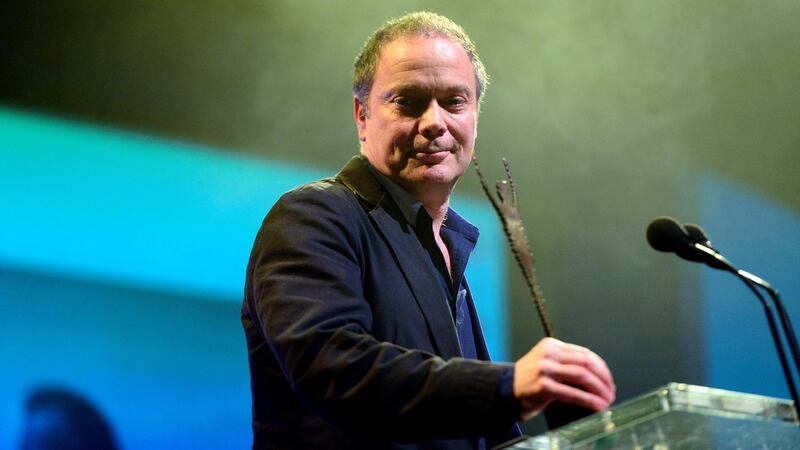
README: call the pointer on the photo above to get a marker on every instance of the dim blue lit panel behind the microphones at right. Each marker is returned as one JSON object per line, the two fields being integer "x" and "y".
{"x": 758, "y": 236}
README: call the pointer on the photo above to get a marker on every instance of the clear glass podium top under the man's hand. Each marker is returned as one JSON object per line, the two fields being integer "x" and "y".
{"x": 680, "y": 416}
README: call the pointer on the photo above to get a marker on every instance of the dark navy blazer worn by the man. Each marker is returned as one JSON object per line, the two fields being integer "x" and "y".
{"x": 350, "y": 343}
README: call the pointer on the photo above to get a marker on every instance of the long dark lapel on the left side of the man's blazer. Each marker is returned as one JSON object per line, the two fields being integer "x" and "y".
{"x": 411, "y": 258}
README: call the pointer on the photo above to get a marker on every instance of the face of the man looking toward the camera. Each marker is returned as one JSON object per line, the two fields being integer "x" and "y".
{"x": 420, "y": 127}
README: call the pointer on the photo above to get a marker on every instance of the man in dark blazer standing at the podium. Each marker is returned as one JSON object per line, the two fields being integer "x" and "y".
{"x": 361, "y": 329}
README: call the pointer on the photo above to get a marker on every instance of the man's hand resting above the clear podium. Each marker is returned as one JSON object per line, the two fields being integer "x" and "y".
{"x": 557, "y": 371}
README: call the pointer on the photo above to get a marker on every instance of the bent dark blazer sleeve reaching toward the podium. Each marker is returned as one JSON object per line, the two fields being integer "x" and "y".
{"x": 306, "y": 269}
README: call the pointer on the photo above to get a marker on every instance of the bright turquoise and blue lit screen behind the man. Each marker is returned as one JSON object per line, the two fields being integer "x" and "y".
{"x": 122, "y": 262}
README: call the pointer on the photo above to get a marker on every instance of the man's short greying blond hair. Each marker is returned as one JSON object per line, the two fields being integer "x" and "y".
{"x": 422, "y": 23}
